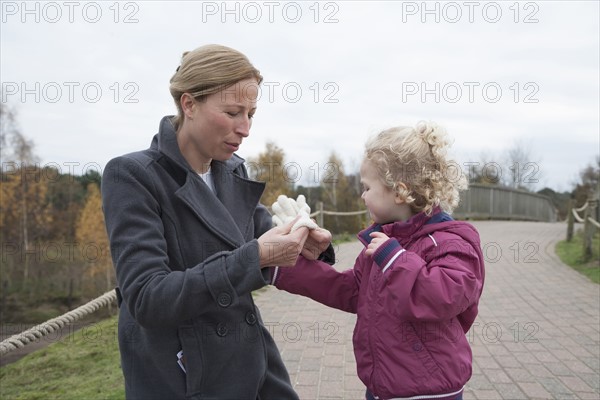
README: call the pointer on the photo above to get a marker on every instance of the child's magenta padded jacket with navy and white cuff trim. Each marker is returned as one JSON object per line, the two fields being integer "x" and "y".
{"x": 415, "y": 300}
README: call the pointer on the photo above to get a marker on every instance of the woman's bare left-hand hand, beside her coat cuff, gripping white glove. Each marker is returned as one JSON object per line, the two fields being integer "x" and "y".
{"x": 281, "y": 247}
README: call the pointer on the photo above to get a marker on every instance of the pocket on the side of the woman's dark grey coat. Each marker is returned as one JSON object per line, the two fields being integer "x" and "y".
{"x": 192, "y": 360}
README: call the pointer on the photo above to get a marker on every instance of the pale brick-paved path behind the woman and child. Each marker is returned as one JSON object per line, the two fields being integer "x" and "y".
{"x": 537, "y": 335}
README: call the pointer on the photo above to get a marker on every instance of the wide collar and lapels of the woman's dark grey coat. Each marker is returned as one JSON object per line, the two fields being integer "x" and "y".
{"x": 229, "y": 214}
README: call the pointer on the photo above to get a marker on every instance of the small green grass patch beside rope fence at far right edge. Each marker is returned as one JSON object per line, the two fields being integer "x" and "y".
{"x": 571, "y": 253}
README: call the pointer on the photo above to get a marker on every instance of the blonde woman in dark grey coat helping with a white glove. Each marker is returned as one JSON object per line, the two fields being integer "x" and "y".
{"x": 190, "y": 242}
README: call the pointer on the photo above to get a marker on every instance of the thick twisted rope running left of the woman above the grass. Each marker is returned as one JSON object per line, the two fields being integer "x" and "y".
{"x": 21, "y": 339}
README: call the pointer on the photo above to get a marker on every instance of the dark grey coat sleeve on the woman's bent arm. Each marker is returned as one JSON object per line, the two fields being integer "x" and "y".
{"x": 155, "y": 295}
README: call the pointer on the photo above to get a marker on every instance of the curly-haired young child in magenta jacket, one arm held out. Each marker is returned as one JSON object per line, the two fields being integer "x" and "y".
{"x": 416, "y": 284}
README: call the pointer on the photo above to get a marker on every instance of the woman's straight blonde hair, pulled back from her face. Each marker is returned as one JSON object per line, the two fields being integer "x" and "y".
{"x": 207, "y": 70}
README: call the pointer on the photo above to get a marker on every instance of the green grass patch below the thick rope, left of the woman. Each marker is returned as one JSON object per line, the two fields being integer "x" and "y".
{"x": 84, "y": 364}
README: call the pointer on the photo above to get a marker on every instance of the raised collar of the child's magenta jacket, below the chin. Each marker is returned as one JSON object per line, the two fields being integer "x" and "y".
{"x": 405, "y": 229}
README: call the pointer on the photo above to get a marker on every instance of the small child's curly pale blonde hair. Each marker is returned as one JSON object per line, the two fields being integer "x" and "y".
{"x": 416, "y": 158}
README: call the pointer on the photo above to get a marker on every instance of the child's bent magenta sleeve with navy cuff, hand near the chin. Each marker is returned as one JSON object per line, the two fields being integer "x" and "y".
{"x": 440, "y": 289}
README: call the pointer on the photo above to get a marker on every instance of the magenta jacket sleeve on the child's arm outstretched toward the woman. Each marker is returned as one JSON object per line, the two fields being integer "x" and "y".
{"x": 321, "y": 282}
